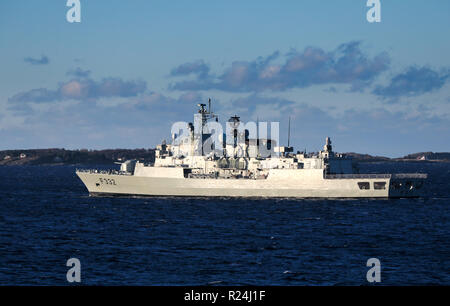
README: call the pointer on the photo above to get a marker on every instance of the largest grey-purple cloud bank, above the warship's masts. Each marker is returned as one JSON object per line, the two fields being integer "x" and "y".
{"x": 347, "y": 64}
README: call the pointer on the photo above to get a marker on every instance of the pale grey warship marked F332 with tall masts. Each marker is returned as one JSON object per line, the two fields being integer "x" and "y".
{"x": 237, "y": 165}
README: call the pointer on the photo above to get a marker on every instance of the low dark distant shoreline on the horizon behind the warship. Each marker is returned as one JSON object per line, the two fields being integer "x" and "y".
{"x": 110, "y": 156}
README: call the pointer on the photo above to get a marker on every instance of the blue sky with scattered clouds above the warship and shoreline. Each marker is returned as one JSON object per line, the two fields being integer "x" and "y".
{"x": 129, "y": 69}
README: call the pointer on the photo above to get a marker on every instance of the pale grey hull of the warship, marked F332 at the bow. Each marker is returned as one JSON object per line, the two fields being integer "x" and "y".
{"x": 297, "y": 187}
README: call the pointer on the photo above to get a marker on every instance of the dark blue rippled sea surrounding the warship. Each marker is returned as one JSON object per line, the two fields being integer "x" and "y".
{"x": 47, "y": 217}
